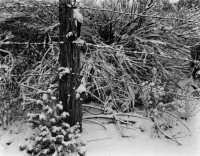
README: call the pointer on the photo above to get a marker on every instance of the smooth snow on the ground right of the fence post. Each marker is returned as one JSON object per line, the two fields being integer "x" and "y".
{"x": 109, "y": 142}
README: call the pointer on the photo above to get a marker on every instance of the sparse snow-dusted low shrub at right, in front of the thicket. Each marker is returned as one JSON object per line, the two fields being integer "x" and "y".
{"x": 162, "y": 113}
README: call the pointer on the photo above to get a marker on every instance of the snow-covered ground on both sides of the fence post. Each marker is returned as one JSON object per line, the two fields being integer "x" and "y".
{"x": 108, "y": 142}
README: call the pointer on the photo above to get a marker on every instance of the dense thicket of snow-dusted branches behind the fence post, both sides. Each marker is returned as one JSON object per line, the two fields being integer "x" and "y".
{"x": 125, "y": 43}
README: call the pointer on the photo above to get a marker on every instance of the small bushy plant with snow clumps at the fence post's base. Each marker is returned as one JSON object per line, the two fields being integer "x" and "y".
{"x": 55, "y": 136}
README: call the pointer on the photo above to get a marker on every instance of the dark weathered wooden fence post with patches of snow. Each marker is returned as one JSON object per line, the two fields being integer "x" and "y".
{"x": 69, "y": 59}
